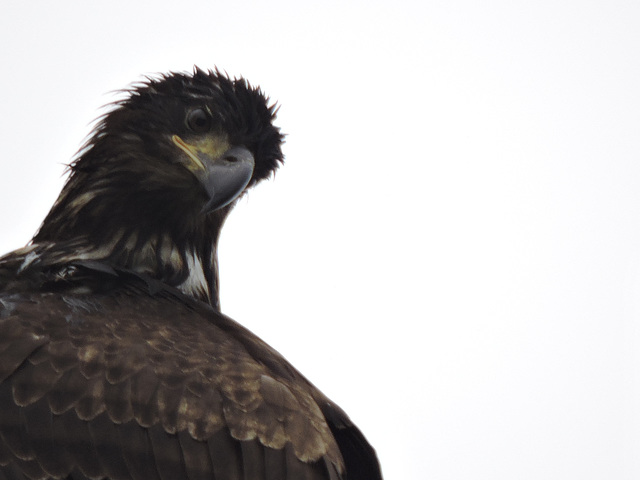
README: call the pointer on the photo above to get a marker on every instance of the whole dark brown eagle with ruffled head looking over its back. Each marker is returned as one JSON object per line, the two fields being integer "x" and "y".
{"x": 115, "y": 361}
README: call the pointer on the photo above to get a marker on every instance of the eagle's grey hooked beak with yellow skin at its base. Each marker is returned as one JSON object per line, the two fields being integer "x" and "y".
{"x": 223, "y": 172}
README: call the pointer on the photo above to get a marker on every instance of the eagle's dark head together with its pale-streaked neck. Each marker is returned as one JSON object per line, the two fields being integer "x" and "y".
{"x": 161, "y": 170}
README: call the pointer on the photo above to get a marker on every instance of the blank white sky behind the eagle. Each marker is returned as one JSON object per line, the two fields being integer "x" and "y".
{"x": 452, "y": 249}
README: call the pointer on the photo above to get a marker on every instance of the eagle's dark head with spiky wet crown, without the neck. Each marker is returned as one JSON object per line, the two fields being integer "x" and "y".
{"x": 179, "y": 145}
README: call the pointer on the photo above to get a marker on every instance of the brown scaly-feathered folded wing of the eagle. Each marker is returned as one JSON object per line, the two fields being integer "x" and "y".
{"x": 134, "y": 386}
